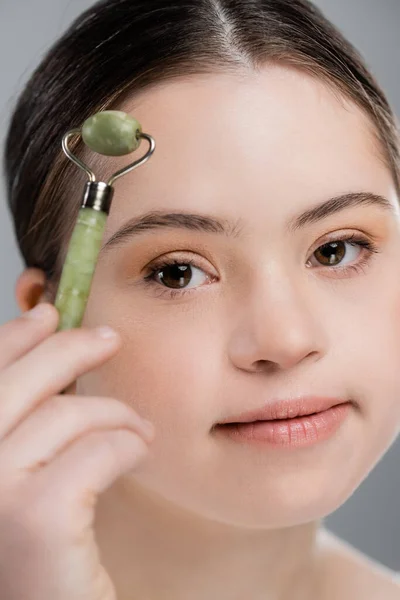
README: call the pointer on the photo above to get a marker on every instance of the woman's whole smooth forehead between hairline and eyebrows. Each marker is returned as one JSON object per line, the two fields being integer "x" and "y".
{"x": 274, "y": 133}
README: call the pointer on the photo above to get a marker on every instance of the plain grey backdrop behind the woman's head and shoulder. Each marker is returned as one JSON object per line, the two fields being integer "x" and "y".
{"x": 370, "y": 519}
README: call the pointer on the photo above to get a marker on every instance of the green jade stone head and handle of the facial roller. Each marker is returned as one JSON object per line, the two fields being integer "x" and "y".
{"x": 112, "y": 133}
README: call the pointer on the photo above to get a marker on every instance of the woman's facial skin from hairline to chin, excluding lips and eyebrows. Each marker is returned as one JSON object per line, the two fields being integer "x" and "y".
{"x": 261, "y": 314}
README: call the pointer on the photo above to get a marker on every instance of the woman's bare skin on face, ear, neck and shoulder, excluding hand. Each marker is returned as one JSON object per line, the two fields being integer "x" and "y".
{"x": 202, "y": 518}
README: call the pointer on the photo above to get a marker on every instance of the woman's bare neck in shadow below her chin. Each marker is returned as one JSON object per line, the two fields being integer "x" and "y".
{"x": 154, "y": 550}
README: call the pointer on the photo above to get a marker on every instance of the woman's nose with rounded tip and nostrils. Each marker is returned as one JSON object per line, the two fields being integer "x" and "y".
{"x": 279, "y": 325}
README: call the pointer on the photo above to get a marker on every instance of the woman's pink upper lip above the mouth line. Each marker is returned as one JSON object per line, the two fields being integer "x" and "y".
{"x": 287, "y": 409}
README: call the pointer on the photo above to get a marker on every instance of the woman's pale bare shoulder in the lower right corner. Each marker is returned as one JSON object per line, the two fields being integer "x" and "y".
{"x": 348, "y": 573}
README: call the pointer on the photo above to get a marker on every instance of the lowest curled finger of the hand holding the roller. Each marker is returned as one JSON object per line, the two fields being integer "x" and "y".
{"x": 66, "y": 490}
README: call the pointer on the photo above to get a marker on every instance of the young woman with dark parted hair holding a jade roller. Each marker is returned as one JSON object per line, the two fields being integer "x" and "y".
{"x": 250, "y": 270}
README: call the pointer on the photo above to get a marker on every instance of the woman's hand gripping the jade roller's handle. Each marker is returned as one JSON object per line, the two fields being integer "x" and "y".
{"x": 57, "y": 454}
